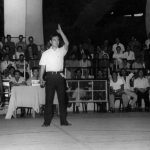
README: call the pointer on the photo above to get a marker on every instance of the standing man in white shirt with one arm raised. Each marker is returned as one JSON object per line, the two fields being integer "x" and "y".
{"x": 52, "y": 61}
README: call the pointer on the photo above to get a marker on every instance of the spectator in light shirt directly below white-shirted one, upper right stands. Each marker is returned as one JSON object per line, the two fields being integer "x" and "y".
{"x": 118, "y": 56}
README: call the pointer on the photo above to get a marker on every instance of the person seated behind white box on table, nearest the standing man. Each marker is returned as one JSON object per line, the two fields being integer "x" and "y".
{"x": 35, "y": 73}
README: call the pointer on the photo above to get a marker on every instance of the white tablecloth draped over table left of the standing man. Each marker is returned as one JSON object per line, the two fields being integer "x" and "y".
{"x": 25, "y": 96}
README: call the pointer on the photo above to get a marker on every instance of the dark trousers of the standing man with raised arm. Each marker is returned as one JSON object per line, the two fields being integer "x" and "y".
{"x": 55, "y": 82}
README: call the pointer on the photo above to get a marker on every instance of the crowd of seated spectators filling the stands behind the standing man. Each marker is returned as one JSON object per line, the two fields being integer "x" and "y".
{"x": 126, "y": 66}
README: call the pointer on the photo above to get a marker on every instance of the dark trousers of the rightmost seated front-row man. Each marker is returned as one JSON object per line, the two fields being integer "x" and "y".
{"x": 145, "y": 96}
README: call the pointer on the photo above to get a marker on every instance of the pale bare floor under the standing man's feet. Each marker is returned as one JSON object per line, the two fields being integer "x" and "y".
{"x": 91, "y": 131}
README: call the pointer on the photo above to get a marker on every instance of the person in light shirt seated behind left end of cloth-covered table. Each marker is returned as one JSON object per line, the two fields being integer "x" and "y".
{"x": 17, "y": 80}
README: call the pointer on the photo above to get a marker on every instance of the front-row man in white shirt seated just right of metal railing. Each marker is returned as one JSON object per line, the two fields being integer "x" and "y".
{"x": 116, "y": 89}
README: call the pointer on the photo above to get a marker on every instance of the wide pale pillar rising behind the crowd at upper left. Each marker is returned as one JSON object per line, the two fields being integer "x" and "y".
{"x": 24, "y": 17}
